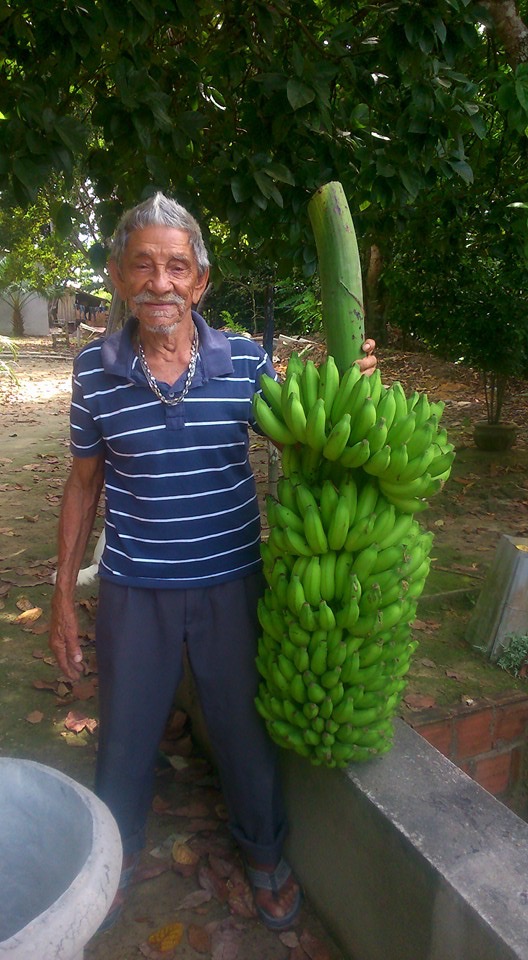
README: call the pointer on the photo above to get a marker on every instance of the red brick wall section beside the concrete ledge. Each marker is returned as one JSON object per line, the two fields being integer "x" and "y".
{"x": 488, "y": 740}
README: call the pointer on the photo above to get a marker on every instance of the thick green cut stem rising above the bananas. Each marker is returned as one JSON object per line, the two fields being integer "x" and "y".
{"x": 339, "y": 274}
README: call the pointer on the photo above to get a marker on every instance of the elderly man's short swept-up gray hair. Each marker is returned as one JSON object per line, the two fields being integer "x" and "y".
{"x": 160, "y": 211}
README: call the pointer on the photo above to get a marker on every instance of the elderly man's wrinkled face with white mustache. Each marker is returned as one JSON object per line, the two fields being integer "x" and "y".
{"x": 158, "y": 276}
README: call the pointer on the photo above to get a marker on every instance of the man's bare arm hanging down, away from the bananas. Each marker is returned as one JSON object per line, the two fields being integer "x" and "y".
{"x": 79, "y": 505}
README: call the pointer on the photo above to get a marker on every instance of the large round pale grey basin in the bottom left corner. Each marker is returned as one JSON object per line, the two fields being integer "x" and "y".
{"x": 60, "y": 862}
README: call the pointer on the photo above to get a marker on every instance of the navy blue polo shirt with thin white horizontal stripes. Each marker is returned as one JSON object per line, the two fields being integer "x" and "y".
{"x": 181, "y": 504}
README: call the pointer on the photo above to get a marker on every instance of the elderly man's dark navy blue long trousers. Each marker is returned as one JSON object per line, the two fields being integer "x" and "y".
{"x": 140, "y": 637}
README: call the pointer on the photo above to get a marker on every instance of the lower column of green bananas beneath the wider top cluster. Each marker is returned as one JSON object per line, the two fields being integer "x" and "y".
{"x": 344, "y": 571}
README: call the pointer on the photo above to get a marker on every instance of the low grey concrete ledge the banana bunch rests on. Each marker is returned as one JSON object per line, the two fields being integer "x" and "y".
{"x": 407, "y": 858}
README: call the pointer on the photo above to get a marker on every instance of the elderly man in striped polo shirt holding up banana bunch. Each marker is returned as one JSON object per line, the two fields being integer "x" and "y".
{"x": 160, "y": 414}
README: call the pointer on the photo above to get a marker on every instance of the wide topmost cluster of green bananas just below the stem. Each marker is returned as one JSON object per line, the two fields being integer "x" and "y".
{"x": 354, "y": 422}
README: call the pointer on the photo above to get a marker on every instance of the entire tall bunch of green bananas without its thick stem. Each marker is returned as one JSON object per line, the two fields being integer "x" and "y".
{"x": 345, "y": 561}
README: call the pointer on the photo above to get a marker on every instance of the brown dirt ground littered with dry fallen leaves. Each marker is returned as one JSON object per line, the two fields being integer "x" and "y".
{"x": 190, "y": 873}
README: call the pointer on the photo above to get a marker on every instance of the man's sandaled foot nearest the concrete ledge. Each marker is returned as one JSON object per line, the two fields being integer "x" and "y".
{"x": 276, "y": 893}
